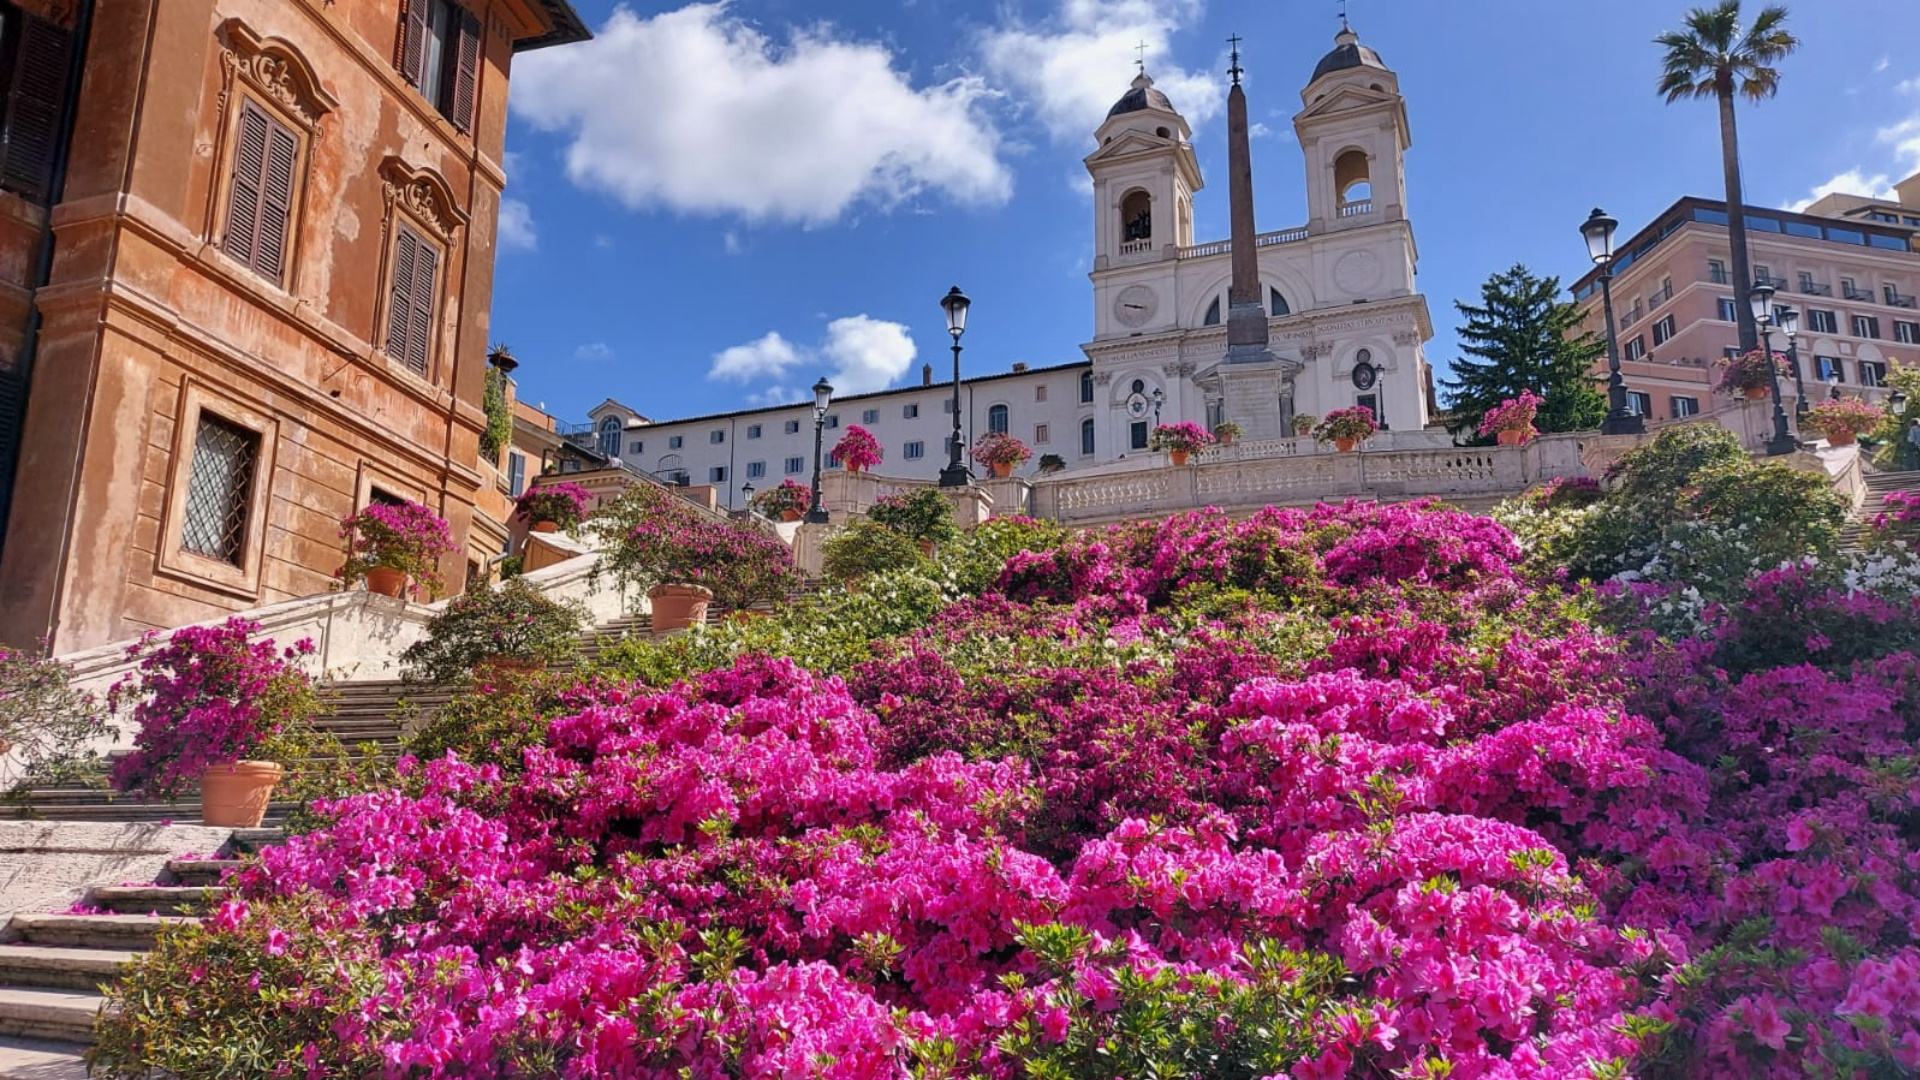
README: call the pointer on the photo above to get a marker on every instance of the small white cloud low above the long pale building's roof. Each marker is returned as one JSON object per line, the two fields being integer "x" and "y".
{"x": 857, "y": 355}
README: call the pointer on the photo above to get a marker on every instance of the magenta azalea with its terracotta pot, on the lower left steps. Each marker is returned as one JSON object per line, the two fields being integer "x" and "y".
{"x": 214, "y": 708}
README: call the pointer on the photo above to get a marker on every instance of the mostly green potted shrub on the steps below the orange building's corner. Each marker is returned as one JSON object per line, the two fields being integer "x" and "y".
{"x": 496, "y": 629}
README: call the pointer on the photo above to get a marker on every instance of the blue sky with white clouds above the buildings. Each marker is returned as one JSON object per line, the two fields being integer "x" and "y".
{"x": 715, "y": 205}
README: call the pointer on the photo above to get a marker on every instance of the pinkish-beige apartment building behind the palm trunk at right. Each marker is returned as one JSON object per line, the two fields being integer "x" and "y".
{"x": 1850, "y": 266}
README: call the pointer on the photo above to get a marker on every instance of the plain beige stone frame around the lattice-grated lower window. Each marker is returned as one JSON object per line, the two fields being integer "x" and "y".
{"x": 193, "y": 568}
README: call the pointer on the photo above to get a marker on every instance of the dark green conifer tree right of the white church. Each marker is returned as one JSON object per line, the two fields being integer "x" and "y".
{"x": 1525, "y": 339}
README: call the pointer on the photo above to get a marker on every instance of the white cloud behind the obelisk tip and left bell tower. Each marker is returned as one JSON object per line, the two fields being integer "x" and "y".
{"x": 1076, "y": 64}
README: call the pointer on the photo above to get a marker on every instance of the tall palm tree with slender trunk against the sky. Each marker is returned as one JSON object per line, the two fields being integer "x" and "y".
{"x": 1716, "y": 59}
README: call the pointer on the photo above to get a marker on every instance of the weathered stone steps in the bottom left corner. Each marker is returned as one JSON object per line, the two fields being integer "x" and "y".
{"x": 53, "y": 966}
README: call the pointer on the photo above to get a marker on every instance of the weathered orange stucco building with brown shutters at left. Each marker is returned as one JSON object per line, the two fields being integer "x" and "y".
{"x": 247, "y": 258}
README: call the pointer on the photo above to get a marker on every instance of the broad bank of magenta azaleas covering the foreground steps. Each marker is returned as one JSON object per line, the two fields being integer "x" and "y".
{"x": 1351, "y": 793}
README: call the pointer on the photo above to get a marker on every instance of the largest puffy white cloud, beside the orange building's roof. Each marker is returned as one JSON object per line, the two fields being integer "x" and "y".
{"x": 684, "y": 110}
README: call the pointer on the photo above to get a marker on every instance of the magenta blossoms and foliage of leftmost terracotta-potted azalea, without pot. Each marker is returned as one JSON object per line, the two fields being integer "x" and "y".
{"x": 206, "y": 697}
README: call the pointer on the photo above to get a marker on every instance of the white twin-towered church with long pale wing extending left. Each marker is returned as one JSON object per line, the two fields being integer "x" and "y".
{"x": 1347, "y": 320}
